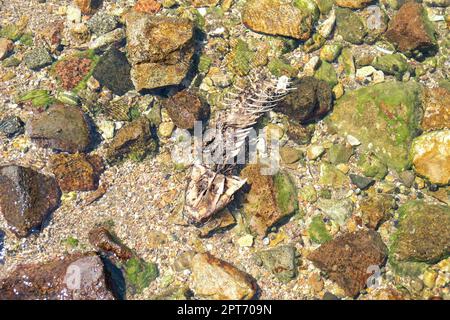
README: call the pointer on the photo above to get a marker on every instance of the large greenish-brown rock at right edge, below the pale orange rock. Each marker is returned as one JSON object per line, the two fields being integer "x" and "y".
{"x": 422, "y": 237}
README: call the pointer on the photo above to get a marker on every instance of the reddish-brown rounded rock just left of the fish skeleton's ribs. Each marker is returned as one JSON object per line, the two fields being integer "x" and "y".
{"x": 185, "y": 108}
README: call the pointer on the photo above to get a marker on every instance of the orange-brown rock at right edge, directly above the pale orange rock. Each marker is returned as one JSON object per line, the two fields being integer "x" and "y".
{"x": 436, "y": 102}
